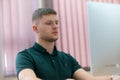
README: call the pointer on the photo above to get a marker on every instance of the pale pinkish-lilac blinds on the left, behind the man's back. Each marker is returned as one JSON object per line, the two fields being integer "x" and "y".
{"x": 17, "y": 30}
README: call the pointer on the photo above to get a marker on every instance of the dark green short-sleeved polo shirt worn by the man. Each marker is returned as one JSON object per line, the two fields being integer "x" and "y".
{"x": 55, "y": 66}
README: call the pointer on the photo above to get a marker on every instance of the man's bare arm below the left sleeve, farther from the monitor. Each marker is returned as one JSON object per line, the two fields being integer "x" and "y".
{"x": 27, "y": 74}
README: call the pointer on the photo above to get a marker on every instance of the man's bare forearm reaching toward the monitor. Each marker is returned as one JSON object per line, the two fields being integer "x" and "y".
{"x": 81, "y": 74}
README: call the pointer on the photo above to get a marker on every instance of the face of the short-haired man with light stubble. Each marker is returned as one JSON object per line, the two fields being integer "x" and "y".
{"x": 48, "y": 28}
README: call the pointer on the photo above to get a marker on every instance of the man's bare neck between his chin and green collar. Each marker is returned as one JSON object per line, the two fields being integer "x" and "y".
{"x": 49, "y": 46}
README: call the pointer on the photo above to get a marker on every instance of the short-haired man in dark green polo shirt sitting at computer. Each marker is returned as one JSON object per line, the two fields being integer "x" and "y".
{"x": 43, "y": 60}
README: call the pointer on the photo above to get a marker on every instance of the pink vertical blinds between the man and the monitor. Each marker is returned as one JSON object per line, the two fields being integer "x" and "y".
{"x": 74, "y": 28}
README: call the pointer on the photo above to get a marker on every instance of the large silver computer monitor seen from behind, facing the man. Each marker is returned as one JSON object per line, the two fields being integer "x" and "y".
{"x": 104, "y": 37}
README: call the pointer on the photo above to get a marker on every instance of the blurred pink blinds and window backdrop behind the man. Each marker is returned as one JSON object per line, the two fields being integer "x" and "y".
{"x": 16, "y": 30}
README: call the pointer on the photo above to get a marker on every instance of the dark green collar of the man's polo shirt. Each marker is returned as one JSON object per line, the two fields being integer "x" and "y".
{"x": 43, "y": 50}
